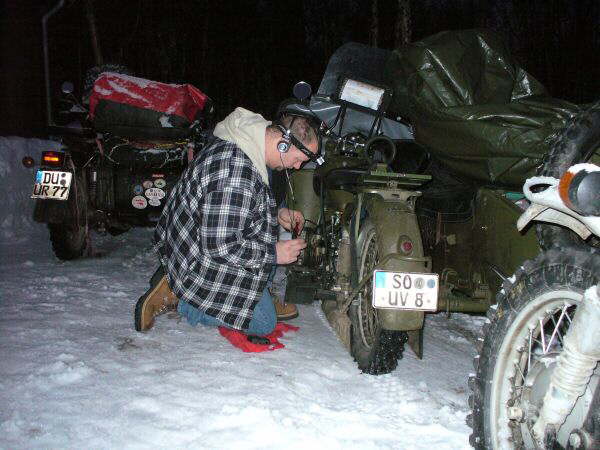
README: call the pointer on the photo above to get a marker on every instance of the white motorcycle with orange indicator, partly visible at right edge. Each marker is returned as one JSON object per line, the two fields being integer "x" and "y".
{"x": 537, "y": 380}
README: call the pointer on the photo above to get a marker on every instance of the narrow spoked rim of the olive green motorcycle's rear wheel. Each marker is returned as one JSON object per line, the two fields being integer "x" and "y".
{"x": 367, "y": 315}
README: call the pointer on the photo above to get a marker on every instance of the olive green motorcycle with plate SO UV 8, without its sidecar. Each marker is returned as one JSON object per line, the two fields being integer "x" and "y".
{"x": 360, "y": 221}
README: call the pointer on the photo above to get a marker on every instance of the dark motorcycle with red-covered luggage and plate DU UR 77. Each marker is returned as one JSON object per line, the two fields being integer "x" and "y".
{"x": 111, "y": 173}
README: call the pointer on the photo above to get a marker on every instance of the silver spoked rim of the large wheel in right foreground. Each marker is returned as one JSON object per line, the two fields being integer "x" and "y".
{"x": 522, "y": 373}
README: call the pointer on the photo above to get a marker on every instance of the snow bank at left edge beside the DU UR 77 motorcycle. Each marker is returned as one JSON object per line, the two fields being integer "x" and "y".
{"x": 16, "y": 183}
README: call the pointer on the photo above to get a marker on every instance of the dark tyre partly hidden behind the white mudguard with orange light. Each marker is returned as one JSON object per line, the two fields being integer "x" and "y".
{"x": 576, "y": 143}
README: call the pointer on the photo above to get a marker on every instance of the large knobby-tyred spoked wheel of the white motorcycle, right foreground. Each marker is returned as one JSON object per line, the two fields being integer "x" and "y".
{"x": 520, "y": 346}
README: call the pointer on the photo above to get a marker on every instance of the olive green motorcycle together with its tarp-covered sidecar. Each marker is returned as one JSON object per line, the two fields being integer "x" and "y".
{"x": 425, "y": 150}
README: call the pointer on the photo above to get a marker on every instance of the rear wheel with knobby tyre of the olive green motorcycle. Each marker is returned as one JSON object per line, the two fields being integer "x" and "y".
{"x": 376, "y": 350}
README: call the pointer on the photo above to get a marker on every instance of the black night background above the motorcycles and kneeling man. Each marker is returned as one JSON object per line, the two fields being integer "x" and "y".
{"x": 250, "y": 53}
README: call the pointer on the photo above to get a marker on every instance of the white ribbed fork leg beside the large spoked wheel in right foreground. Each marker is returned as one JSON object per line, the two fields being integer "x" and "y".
{"x": 581, "y": 353}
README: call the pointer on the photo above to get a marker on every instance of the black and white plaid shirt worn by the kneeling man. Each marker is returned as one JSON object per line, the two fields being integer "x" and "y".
{"x": 217, "y": 233}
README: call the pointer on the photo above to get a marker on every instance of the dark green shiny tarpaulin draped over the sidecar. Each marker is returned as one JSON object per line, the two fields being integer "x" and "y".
{"x": 475, "y": 108}
